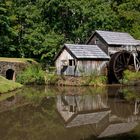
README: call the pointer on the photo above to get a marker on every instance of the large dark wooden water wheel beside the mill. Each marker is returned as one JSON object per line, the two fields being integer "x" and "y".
{"x": 119, "y": 62}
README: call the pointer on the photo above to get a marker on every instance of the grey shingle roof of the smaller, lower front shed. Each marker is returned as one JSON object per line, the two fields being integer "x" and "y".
{"x": 86, "y": 51}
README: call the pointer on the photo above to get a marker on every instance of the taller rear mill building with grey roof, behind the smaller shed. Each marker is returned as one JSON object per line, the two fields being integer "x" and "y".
{"x": 111, "y": 42}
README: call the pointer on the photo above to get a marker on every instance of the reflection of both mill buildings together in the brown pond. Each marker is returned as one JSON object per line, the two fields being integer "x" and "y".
{"x": 94, "y": 111}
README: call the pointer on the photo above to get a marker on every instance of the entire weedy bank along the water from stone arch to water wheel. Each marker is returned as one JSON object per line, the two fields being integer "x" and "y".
{"x": 35, "y": 75}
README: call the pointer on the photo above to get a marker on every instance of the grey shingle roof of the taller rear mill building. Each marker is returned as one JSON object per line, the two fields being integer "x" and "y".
{"x": 116, "y": 38}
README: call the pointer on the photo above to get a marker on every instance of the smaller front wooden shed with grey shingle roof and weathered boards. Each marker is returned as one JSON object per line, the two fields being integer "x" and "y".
{"x": 75, "y": 60}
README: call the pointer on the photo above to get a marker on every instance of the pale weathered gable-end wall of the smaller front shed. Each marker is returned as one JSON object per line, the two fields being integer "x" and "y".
{"x": 58, "y": 63}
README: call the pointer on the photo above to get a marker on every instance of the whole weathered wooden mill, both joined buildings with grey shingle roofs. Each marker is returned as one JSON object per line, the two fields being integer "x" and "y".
{"x": 76, "y": 59}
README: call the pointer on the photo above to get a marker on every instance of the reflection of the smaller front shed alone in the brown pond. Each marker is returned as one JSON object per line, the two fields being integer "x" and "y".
{"x": 71, "y": 107}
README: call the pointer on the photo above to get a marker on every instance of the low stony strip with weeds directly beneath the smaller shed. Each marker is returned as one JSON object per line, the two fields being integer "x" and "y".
{"x": 91, "y": 80}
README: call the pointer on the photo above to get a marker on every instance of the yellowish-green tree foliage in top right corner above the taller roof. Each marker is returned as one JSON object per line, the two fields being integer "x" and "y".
{"x": 128, "y": 12}
